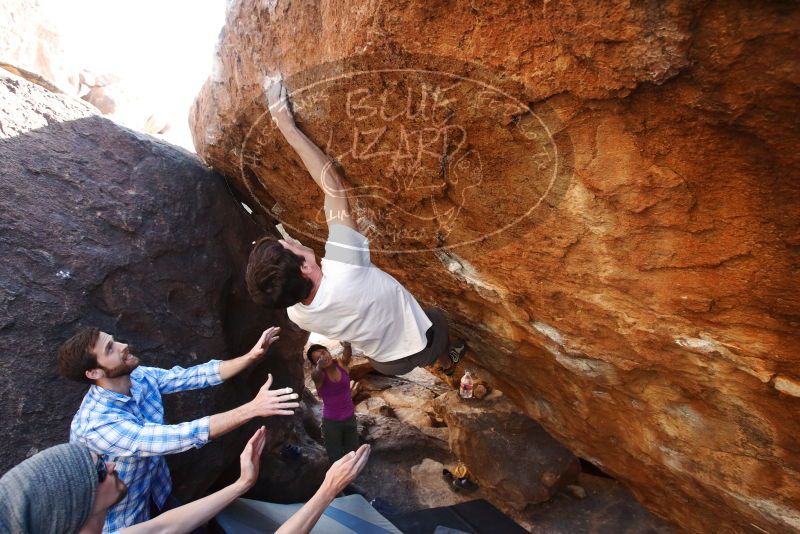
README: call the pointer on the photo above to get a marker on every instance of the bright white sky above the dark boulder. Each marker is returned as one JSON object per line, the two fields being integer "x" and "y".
{"x": 162, "y": 49}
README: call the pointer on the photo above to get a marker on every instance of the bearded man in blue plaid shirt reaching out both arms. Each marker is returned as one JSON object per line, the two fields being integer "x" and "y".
{"x": 122, "y": 414}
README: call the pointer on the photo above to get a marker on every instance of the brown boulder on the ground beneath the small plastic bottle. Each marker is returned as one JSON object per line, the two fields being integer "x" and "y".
{"x": 508, "y": 454}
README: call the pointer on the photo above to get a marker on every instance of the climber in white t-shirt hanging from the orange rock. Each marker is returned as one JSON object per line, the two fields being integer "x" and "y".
{"x": 346, "y": 297}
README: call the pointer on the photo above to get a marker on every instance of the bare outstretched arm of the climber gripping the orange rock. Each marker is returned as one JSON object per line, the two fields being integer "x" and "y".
{"x": 319, "y": 165}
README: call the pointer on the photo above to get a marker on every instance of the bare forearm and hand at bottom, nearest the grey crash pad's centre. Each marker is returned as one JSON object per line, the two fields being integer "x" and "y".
{"x": 342, "y": 473}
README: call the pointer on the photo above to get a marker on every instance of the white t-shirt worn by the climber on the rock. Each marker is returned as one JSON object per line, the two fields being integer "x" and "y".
{"x": 359, "y": 303}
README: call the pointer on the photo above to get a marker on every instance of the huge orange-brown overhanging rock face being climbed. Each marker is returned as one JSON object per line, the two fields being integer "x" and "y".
{"x": 601, "y": 200}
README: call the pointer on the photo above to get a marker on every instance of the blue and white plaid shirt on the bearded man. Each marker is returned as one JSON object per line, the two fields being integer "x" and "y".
{"x": 131, "y": 432}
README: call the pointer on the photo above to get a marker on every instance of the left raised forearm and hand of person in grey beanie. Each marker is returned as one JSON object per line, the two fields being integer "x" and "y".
{"x": 190, "y": 516}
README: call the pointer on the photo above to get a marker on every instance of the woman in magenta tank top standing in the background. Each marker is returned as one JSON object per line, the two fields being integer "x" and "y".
{"x": 332, "y": 380}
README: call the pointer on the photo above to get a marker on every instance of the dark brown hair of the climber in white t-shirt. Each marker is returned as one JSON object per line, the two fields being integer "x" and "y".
{"x": 273, "y": 275}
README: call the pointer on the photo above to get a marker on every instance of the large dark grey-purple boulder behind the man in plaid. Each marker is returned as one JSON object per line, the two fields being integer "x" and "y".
{"x": 102, "y": 226}
